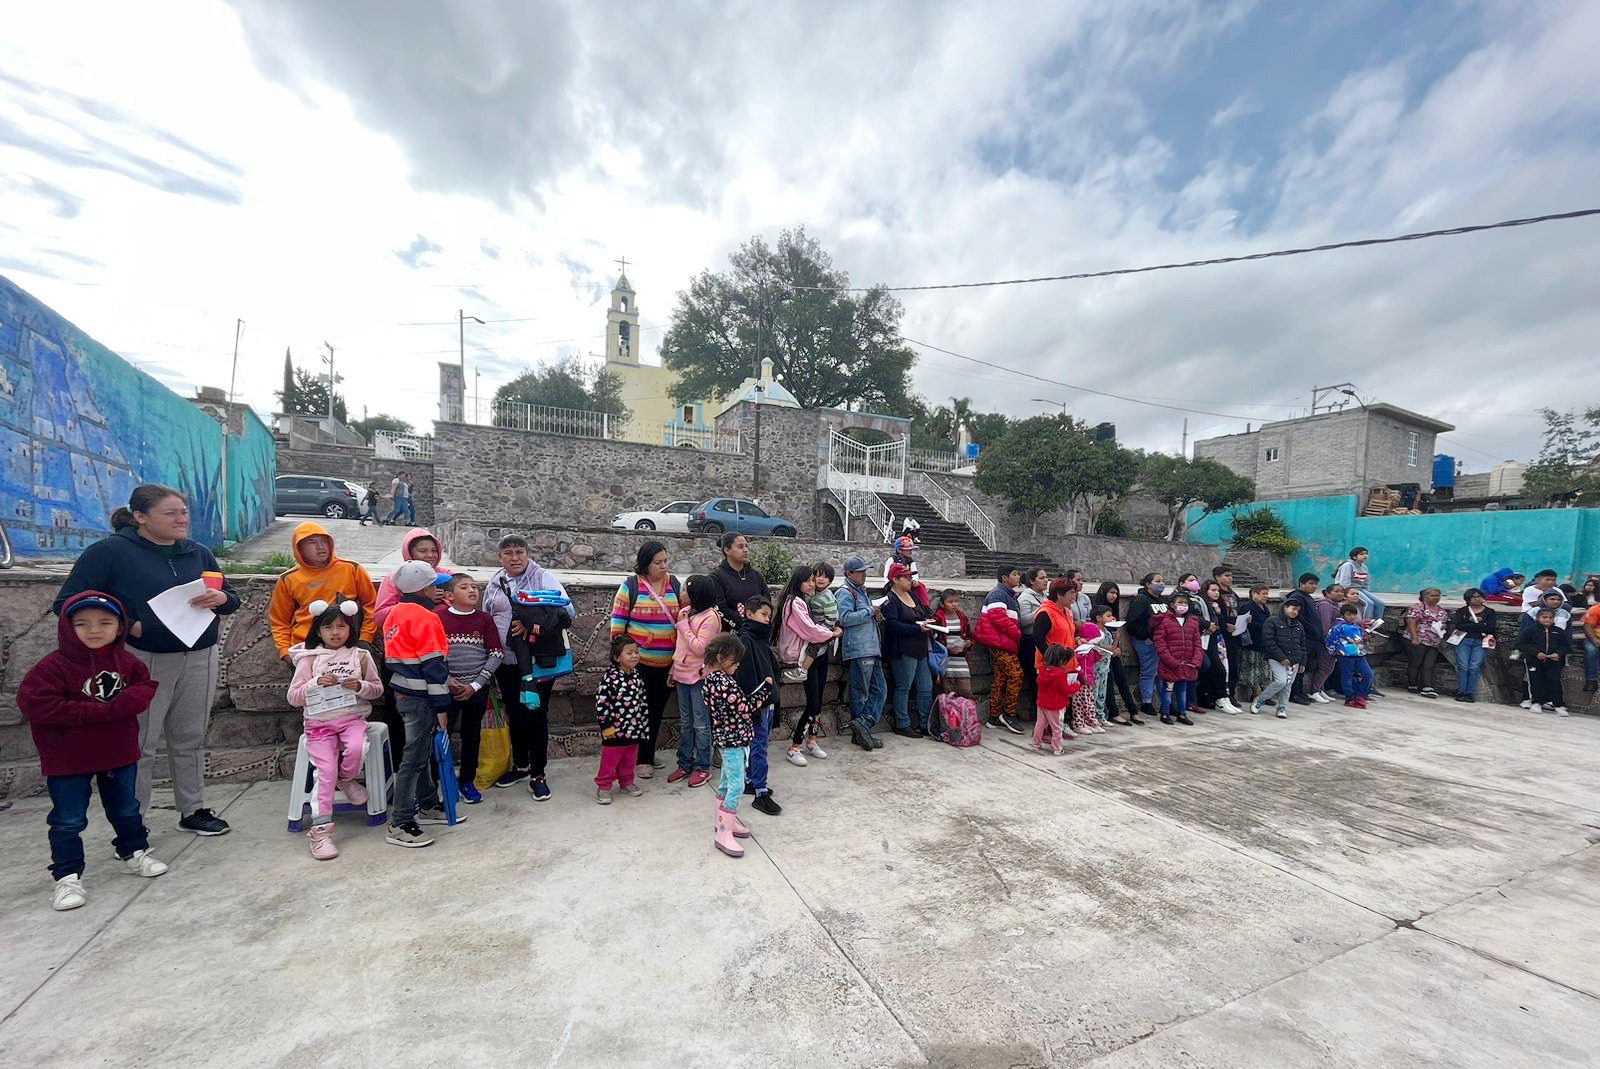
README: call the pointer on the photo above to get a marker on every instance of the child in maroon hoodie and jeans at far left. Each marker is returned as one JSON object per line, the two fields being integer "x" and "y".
{"x": 84, "y": 705}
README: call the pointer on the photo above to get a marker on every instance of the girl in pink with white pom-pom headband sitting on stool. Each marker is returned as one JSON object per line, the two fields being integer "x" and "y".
{"x": 335, "y": 683}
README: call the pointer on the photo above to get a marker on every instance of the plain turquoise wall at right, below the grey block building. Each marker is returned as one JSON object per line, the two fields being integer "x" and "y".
{"x": 1449, "y": 550}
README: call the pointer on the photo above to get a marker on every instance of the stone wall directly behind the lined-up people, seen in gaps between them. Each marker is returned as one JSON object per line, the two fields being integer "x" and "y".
{"x": 254, "y": 732}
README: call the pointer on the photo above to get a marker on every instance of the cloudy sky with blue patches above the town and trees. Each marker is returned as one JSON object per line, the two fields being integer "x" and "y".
{"x": 345, "y": 172}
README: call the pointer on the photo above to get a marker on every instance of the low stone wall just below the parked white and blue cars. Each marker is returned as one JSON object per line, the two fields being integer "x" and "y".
{"x": 474, "y": 542}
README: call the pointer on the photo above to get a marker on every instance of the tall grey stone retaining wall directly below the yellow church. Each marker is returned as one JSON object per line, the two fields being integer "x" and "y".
{"x": 585, "y": 482}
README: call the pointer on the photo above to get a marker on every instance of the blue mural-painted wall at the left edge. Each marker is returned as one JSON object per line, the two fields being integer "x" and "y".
{"x": 81, "y": 428}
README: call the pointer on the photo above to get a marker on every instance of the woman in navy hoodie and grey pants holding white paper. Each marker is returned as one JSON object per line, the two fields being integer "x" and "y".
{"x": 150, "y": 553}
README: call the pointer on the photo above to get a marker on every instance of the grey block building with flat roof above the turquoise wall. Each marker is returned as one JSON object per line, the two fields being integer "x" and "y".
{"x": 1332, "y": 454}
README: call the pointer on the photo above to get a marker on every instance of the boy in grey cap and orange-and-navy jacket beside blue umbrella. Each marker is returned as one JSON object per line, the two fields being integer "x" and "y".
{"x": 415, "y": 651}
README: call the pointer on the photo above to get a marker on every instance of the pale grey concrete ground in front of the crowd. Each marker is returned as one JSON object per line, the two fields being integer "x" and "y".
{"x": 1410, "y": 886}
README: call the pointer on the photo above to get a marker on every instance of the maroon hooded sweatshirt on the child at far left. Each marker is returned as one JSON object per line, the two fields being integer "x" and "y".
{"x": 84, "y": 705}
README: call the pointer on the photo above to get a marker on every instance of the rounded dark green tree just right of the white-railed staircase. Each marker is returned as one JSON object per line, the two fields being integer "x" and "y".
{"x": 1055, "y": 463}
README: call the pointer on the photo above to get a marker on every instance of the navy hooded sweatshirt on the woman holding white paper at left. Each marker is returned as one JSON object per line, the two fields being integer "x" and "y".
{"x": 134, "y": 571}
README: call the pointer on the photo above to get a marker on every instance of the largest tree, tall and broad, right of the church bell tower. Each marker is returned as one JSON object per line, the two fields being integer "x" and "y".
{"x": 830, "y": 348}
